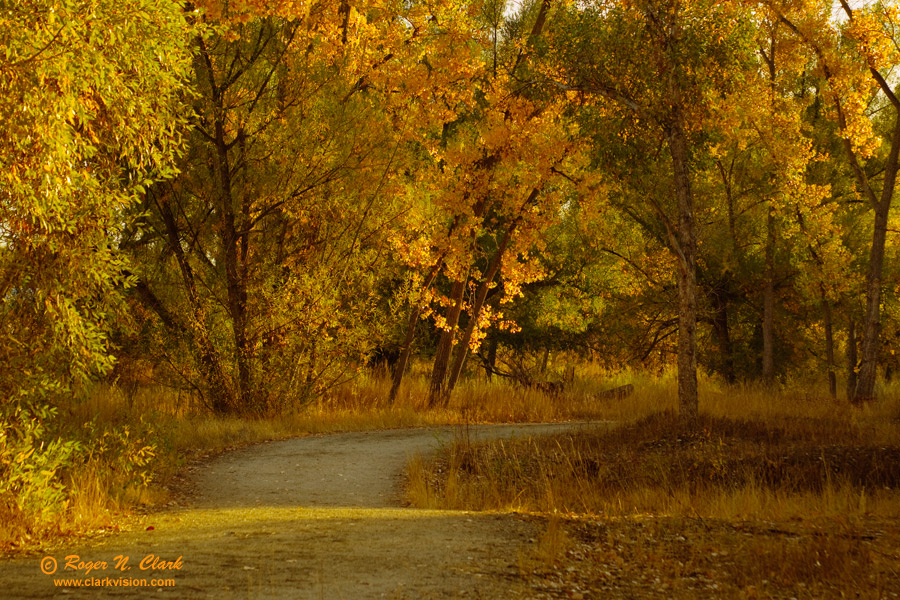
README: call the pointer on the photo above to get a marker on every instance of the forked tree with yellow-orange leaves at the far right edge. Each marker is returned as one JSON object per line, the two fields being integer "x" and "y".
{"x": 855, "y": 54}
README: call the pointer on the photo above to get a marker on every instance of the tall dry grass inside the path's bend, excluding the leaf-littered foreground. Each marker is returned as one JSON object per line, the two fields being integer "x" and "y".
{"x": 752, "y": 452}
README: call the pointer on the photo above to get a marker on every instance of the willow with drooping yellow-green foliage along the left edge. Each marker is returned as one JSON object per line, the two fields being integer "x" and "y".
{"x": 89, "y": 104}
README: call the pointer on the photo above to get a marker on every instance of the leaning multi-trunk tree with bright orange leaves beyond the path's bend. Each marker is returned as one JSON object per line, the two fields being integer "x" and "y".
{"x": 494, "y": 182}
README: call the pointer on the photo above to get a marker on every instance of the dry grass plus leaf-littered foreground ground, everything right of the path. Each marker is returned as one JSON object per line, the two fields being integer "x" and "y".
{"x": 766, "y": 495}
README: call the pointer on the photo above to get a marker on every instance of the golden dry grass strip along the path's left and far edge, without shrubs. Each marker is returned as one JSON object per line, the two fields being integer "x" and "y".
{"x": 179, "y": 429}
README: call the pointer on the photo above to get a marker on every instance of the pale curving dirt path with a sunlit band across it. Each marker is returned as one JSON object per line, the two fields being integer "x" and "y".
{"x": 315, "y": 517}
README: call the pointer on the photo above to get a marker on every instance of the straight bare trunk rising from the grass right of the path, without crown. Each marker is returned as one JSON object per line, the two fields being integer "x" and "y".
{"x": 687, "y": 266}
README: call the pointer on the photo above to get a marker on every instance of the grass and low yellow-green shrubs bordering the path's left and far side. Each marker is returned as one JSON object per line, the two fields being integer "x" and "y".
{"x": 83, "y": 465}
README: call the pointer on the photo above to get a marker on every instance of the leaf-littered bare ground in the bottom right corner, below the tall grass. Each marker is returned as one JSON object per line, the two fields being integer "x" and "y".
{"x": 683, "y": 558}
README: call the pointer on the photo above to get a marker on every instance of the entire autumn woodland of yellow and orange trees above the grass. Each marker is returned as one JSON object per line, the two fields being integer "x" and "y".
{"x": 252, "y": 202}
